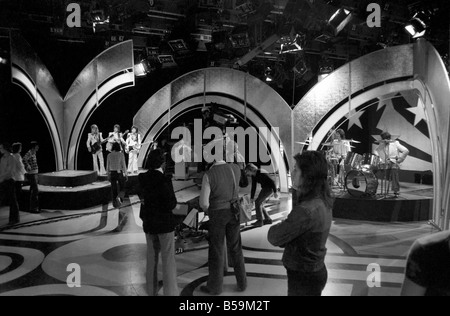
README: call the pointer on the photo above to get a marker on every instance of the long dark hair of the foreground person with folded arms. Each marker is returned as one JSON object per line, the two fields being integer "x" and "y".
{"x": 314, "y": 168}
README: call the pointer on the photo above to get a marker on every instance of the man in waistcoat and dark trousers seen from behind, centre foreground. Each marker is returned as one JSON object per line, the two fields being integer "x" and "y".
{"x": 220, "y": 187}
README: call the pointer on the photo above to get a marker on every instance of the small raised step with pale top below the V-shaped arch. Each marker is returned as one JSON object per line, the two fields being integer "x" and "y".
{"x": 67, "y": 178}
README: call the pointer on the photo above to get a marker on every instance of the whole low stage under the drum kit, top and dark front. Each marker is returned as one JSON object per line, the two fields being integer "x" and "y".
{"x": 413, "y": 205}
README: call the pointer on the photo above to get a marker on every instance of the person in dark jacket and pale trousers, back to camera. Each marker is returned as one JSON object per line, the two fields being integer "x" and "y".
{"x": 158, "y": 202}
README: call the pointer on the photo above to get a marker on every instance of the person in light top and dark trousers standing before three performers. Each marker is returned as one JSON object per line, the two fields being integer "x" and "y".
{"x": 117, "y": 174}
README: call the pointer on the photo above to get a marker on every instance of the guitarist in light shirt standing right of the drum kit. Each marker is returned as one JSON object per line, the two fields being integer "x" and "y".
{"x": 392, "y": 155}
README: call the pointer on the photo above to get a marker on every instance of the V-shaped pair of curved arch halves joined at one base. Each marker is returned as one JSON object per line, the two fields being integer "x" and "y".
{"x": 66, "y": 118}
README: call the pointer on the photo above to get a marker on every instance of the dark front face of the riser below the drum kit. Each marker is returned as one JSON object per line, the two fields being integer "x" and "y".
{"x": 396, "y": 210}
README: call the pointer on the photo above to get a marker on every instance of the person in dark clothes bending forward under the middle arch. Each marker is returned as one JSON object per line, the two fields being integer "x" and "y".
{"x": 268, "y": 187}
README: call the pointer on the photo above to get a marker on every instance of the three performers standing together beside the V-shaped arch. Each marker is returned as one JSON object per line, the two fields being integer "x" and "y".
{"x": 131, "y": 146}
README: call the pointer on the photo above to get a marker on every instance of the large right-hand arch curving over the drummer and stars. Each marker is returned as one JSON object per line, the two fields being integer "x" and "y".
{"x": 415, "y": 67}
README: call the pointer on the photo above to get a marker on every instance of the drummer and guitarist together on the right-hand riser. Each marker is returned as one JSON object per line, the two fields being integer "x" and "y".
{"x": 386, "y": 159}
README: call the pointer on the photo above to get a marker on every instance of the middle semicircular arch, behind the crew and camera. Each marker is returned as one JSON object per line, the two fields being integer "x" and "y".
{"x": 255, "y": 101}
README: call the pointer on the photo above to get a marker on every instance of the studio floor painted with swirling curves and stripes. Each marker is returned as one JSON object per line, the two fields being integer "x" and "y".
{"x": 110, "y": 248}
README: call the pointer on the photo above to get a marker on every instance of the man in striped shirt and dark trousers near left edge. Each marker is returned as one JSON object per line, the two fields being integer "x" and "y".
{"x": 32, "y": 168}
